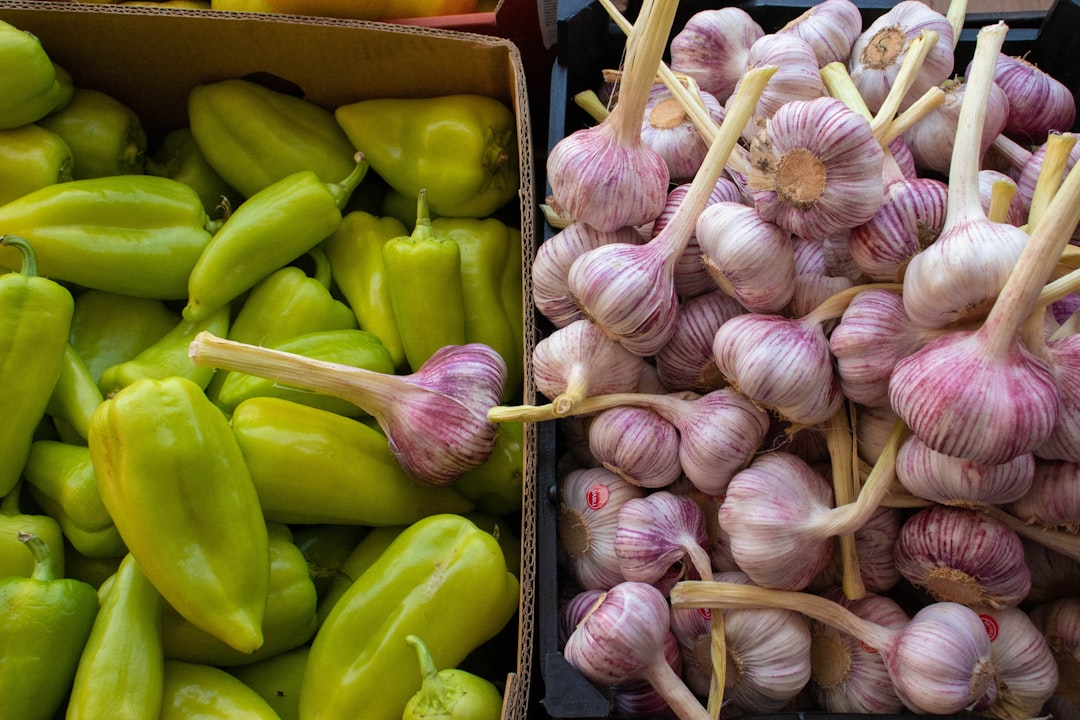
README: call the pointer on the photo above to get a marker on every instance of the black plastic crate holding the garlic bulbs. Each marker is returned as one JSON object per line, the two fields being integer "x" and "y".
{"x": 590, "y": 43}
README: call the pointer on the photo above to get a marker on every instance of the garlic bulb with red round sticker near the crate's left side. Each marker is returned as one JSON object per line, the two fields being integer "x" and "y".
{"x": 589, "y": 504}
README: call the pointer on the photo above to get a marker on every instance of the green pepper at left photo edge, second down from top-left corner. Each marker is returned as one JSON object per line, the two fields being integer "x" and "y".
{"x": 32, "y": 158}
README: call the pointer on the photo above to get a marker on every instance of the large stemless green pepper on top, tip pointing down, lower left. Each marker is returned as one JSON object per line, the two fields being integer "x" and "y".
{"x": 173, "y": 479}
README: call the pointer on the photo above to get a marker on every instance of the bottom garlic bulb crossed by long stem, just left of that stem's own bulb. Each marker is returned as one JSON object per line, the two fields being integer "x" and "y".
{"x": 848, "y": 676}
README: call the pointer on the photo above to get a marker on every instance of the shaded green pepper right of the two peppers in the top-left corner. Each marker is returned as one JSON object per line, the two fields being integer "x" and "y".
{"x": 105, "y": 135}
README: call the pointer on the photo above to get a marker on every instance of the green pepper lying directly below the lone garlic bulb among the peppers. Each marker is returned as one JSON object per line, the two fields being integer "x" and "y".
{"x": 310, "y": 466}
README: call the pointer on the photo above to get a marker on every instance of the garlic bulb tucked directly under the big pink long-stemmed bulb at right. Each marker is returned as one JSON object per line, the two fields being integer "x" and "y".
{"x": 952, "y": 481}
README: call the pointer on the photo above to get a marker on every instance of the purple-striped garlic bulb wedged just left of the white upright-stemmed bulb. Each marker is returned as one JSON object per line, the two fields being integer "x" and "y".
{"x": 910, "y": 221}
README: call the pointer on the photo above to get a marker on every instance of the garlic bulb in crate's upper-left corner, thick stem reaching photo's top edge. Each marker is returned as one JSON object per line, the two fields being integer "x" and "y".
{"x": 604, "y": 175}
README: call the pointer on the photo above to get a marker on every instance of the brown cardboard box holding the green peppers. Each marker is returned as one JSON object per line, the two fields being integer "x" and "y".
{"x": 150, "y": 59}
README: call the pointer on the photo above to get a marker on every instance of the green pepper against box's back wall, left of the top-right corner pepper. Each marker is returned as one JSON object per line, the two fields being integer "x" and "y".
{"x": 255, "y": 137}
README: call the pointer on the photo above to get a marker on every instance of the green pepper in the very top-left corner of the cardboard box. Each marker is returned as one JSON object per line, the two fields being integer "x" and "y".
{"x": 29, "y": 86}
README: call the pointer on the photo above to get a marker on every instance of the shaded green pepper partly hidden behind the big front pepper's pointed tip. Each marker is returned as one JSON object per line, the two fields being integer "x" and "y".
{"x": 289, "y": 621}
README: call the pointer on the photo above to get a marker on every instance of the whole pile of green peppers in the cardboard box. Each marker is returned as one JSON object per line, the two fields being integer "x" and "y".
{"x": 178, "y": 541}
